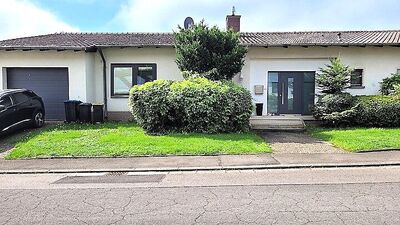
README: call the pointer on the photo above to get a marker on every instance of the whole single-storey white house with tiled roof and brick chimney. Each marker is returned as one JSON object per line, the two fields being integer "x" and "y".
{"x": 279, "y": 67}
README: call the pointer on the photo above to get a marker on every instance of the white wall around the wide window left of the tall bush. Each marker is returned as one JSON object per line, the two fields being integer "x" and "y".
{"x": 163, "y": 57}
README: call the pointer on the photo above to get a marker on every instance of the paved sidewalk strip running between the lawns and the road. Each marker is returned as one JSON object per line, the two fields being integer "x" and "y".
{"x": 193, "y": 163}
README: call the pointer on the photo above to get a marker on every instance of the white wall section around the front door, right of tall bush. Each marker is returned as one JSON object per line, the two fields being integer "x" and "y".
{"x": 376, "y": 62}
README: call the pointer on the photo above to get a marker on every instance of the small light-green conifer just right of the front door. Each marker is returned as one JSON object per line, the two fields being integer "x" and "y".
{"x": 334, "y": 78}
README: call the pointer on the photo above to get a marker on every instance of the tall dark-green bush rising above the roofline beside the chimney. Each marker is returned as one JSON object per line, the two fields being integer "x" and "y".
{"x": 201, "y": 49}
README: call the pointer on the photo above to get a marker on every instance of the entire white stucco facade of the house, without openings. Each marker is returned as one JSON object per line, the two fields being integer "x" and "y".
{"x": 86, "y": 69}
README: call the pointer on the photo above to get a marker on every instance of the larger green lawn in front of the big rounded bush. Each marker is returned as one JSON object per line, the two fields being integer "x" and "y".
{"x": 127, "y": 139}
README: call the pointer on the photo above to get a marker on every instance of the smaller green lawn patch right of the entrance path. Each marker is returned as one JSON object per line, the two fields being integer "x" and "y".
{"x": 359, "y": 139}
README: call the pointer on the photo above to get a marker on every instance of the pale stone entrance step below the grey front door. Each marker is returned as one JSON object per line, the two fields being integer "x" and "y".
{"x": 277, "y": 123}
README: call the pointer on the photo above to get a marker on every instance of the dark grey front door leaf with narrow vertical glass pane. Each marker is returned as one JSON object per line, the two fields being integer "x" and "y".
{"x": 290, "y": 92}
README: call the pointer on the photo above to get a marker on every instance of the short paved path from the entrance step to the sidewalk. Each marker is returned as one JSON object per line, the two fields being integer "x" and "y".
{"x": 298, "y": 142}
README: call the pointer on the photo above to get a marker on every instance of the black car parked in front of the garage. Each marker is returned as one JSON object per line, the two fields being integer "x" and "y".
{"x": 20, "y": 108}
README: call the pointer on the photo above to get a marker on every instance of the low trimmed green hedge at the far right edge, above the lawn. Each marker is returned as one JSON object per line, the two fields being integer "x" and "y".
{"x": 378, "y": 111}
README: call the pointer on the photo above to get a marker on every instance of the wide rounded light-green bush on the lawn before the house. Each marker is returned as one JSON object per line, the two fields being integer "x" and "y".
{"x": 193, "y": 105}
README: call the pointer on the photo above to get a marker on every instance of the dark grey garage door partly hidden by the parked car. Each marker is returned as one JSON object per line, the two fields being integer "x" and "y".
{"x": 49, "y": 83}
